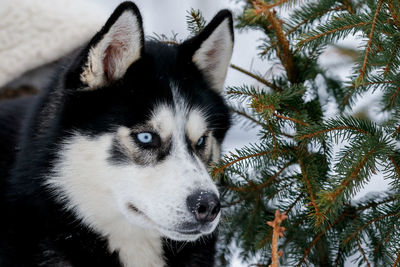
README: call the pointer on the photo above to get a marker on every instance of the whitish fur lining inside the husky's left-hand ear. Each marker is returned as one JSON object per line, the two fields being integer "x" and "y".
{"x": 123, "y": 41}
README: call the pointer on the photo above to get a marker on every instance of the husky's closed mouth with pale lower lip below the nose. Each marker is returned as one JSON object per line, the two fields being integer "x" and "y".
{"x": 179, "y": 234}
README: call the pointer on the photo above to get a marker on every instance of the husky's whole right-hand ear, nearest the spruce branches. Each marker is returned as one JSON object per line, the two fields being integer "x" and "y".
{"x": 211, "y": 49}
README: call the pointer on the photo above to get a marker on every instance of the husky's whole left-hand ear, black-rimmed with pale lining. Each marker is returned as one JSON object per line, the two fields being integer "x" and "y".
{"x": 113, "y": 49}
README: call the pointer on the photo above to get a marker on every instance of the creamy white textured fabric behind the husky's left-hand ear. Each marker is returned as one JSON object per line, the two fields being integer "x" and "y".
{"x": 36, "y": 32}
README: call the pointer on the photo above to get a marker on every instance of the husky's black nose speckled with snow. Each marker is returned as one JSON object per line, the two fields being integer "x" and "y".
{"x": 204, "y": 205}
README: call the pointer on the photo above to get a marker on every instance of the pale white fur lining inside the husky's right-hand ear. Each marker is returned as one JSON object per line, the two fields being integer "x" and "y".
{"x": 214, "y": 55}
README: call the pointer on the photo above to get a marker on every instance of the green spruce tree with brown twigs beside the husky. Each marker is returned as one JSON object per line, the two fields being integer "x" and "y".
{"x": 306, "y": 165}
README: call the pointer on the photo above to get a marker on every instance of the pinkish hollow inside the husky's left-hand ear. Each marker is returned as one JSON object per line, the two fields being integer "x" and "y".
{"x": 112, "y": 57}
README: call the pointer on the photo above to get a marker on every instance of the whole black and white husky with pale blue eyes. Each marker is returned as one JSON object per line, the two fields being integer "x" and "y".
{"x": 108, "y": 166}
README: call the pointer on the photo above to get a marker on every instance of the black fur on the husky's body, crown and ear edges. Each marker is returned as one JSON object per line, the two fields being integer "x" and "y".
{"x": 35, "y": 230}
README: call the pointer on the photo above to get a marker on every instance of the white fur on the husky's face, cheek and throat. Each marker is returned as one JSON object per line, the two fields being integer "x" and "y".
{"x": 100, "y": 193}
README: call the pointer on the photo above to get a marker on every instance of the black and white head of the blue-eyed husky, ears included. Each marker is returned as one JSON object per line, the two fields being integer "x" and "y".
{"x": 143, "y": 121}
